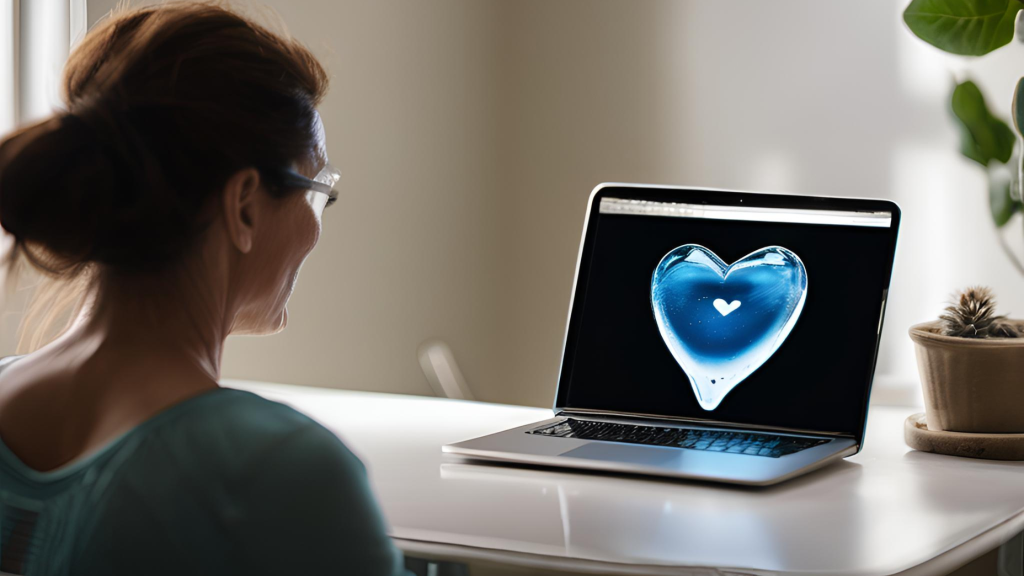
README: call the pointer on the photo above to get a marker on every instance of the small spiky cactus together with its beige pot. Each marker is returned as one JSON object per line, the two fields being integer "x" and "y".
{"x": 972, "y": 364}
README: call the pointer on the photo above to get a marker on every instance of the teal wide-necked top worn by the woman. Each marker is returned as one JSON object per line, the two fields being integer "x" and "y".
{"x": 224, "y": 483}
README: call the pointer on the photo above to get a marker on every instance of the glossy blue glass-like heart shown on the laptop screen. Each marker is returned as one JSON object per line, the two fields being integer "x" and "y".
{"x": 722, "y": 322}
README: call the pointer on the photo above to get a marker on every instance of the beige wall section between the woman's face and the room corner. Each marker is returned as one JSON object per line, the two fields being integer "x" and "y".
{"x": 405, "y": 255}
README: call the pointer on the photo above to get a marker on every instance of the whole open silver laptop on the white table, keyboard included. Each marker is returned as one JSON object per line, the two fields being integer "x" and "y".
{"x": 716, "y": 336}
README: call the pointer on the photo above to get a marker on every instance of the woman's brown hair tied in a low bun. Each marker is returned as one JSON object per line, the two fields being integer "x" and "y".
{"x": 163, "y": 105}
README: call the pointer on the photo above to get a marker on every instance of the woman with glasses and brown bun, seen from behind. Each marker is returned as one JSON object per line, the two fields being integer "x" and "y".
{"x": 181, "y": 194}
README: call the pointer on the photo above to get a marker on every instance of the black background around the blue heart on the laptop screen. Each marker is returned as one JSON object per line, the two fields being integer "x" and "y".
{"x": 817, "y": 381}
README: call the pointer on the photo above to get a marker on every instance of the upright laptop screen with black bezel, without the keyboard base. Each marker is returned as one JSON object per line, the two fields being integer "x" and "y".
{"x": 765, "y": 315}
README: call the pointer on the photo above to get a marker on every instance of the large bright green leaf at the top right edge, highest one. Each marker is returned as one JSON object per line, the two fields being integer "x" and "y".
{"x": 969, "y": 28}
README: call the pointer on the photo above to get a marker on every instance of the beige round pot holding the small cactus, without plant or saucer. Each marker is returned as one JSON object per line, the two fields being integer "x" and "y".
{"x": 971, "y": 385}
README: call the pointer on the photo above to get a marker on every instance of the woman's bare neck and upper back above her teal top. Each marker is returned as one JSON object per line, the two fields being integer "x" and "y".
{"x": 142, "y": 346}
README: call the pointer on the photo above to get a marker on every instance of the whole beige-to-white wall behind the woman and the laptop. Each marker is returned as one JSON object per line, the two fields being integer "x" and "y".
{"x": 471, "y": 134}
